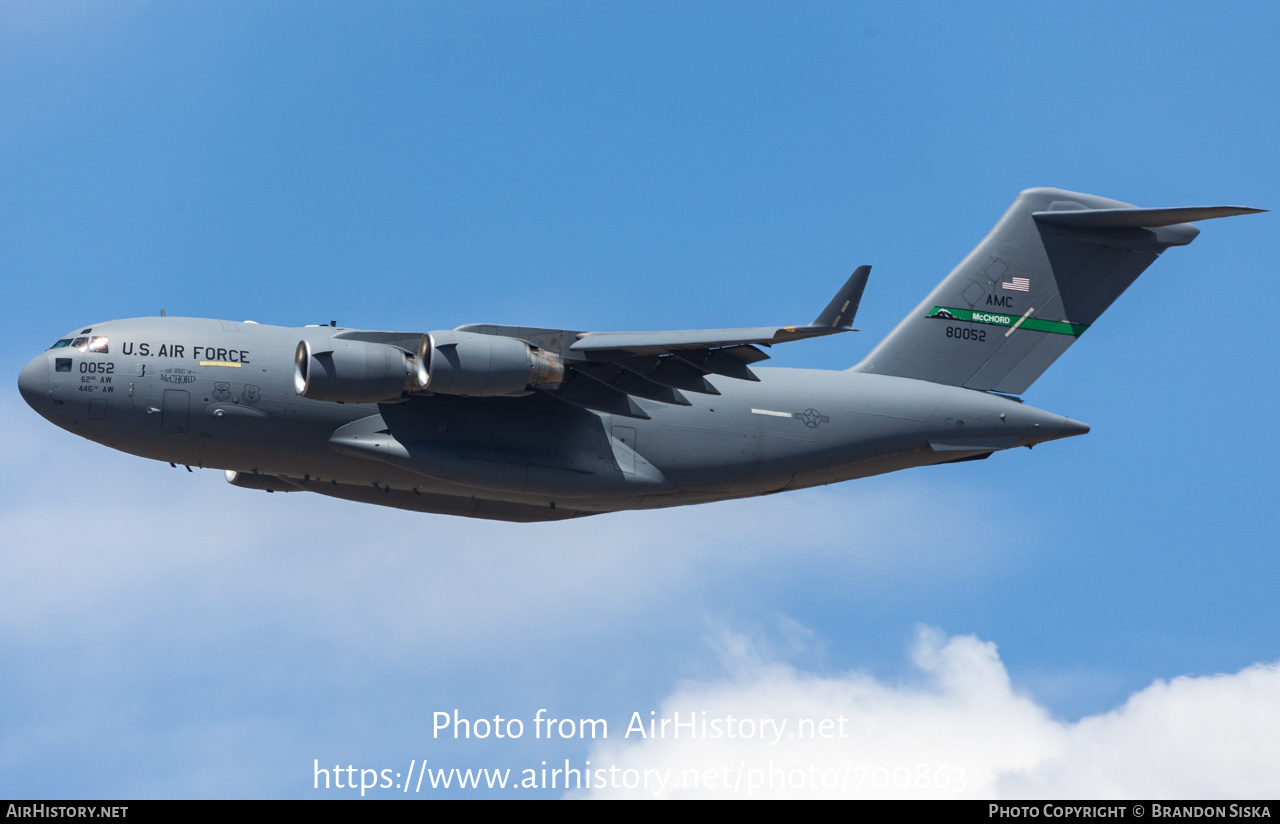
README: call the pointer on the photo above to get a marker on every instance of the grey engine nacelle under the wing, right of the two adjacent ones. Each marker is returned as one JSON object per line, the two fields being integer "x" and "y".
{"x": 469, "y": 364}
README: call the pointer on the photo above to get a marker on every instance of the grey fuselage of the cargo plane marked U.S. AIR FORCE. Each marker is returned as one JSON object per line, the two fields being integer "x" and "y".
{"x": 222, "y": 395}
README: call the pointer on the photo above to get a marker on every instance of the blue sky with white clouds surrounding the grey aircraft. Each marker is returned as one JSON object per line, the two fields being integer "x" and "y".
{"x": 639, "y": 167}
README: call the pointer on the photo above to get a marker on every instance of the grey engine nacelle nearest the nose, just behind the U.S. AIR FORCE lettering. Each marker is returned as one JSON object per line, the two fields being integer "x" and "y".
{"x": 351, "y": 372}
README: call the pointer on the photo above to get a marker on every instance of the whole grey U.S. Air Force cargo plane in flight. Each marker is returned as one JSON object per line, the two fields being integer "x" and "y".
{"x": 532, "y": 424}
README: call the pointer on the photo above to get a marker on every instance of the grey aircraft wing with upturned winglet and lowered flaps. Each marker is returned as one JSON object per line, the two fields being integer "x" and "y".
{"x": 605, "y": 370}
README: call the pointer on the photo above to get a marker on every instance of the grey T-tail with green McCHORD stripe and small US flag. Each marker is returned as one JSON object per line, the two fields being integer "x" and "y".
{"x": 1036, "y": 283}
